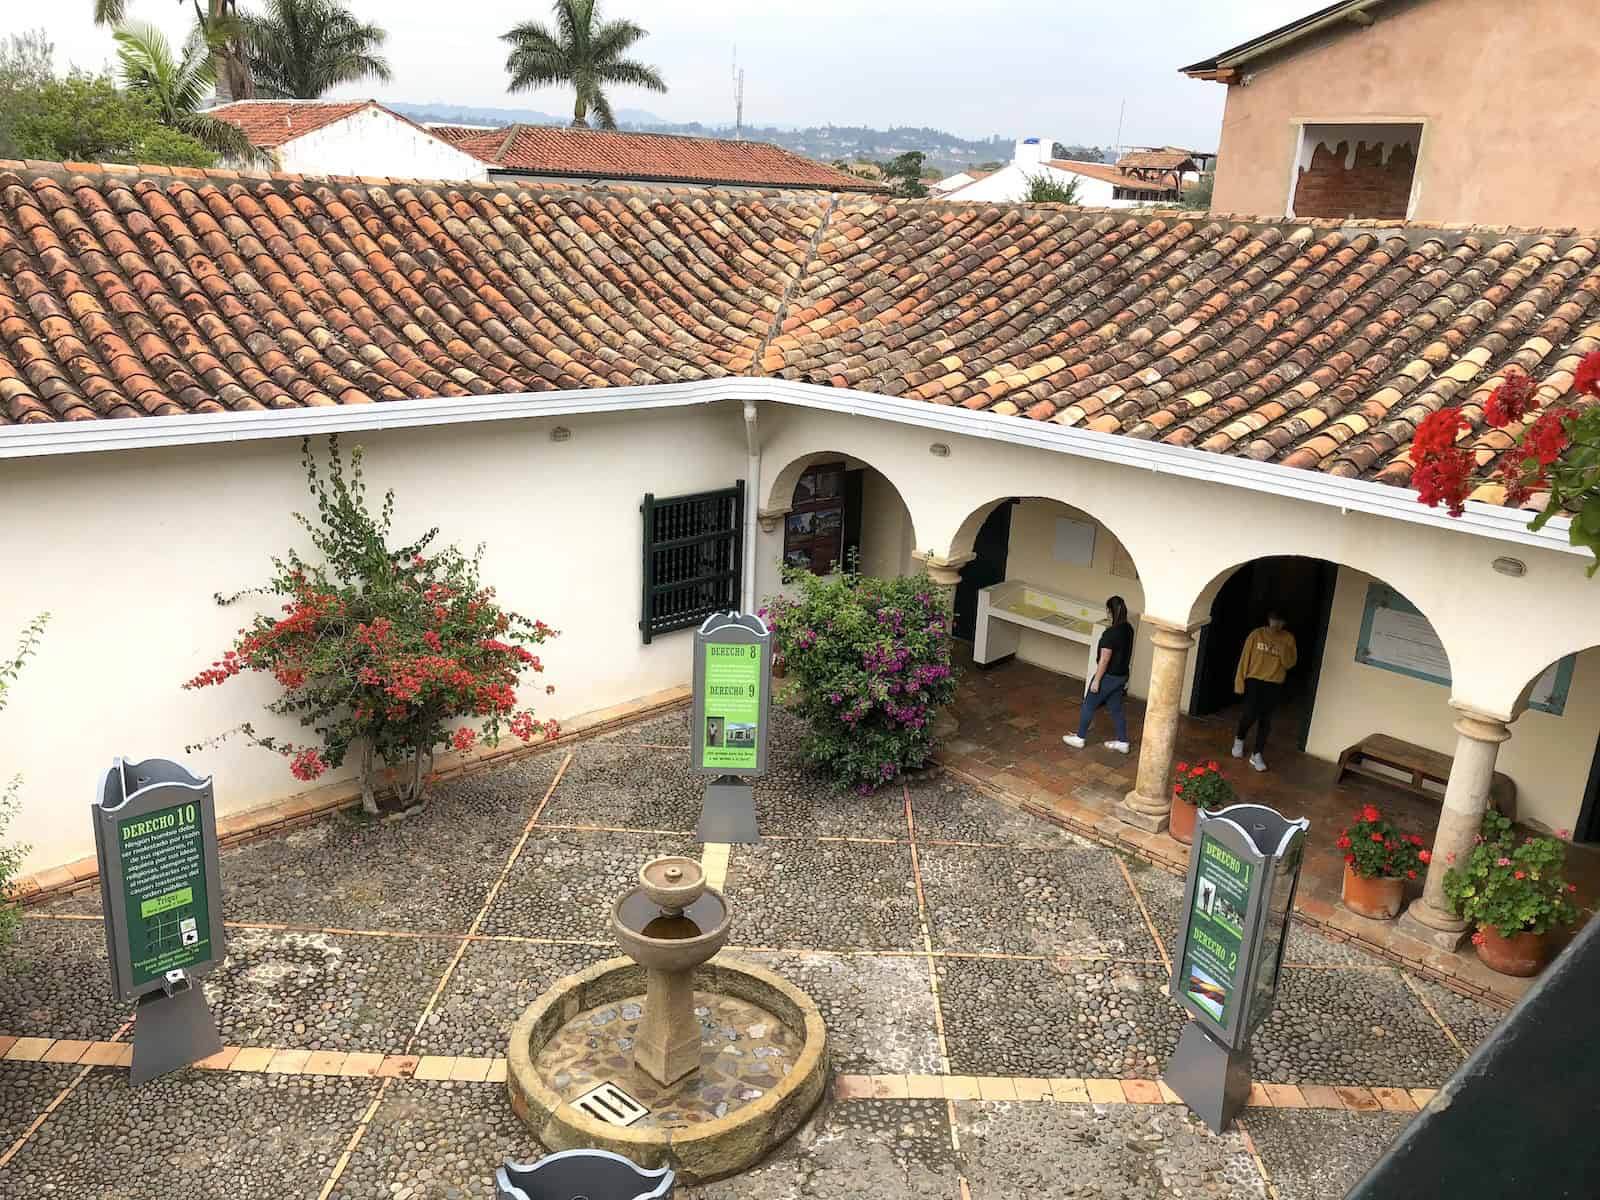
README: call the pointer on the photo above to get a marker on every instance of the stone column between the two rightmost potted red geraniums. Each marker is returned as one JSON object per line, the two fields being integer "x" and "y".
{"x": 1466, "y": 798}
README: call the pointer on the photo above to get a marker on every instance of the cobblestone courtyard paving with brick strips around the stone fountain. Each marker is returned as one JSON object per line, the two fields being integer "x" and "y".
{"x": 994, "y": 991}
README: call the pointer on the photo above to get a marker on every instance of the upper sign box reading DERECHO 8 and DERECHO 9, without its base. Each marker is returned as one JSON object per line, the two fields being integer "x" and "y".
{"x": 734, "y": 658}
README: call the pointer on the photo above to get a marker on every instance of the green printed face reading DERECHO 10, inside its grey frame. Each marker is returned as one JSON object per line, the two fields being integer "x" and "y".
{"x": 162, "y": 858}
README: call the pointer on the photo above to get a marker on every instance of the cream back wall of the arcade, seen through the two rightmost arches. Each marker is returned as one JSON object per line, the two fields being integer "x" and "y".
{"x": 1548, "y": 756}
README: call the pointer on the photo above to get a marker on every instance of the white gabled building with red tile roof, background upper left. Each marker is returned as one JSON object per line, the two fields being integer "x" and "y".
{"x": 348, "y": 138}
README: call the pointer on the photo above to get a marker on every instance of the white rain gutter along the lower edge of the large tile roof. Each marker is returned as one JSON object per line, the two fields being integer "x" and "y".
{"x": 1310, "y": 487}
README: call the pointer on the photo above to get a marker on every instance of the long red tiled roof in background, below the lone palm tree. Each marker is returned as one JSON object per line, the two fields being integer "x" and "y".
{"x": 663, "y": 158}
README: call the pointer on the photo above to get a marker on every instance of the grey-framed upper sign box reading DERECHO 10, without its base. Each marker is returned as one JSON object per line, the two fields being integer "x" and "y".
{"x": 156, "y": 839}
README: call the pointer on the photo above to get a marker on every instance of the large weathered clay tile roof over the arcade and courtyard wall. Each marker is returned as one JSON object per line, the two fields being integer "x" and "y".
{"x": 1314, "y": 345}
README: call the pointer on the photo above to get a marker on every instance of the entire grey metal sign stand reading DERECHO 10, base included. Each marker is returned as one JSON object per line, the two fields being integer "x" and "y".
{"x": 161, "y": 897}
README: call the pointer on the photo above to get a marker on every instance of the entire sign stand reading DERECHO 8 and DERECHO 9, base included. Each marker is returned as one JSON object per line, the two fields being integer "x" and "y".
{"x": 729, "y": 729}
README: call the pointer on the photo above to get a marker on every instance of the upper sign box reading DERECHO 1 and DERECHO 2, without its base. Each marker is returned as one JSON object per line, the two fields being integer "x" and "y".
{"x": 1238, "y": 903}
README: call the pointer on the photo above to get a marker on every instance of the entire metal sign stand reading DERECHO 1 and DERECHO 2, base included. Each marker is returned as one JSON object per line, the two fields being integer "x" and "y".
{"x": 1244, "y": 871}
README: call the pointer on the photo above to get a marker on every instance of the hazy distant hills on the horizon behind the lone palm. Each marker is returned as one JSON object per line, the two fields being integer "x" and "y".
{"x": 825, "y": 143}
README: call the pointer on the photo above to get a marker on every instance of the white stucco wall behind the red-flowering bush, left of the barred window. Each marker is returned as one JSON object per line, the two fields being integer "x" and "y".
{"x": 126, "y": 550}
